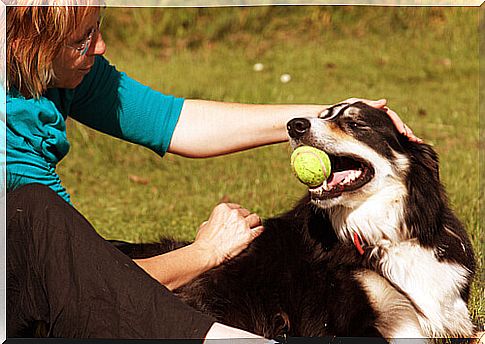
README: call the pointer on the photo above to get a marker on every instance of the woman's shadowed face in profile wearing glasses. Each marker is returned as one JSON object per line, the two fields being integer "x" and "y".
{"x": 69, "y": 65}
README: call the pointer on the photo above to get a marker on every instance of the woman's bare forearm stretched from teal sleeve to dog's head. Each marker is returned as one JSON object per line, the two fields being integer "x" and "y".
{"x": 208, "y": 128}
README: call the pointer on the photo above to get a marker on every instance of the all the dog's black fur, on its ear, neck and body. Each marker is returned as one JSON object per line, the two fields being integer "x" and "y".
{"x": 298, "y": 279}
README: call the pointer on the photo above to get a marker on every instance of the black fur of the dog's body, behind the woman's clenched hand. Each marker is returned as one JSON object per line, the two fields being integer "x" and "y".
{"x": 294, "y": 279}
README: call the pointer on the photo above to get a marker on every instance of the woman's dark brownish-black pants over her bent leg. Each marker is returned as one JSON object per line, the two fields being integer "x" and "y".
{"x": 60, "y": 272}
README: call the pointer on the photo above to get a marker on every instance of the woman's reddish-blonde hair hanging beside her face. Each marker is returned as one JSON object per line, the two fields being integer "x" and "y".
{"x": 36, "y": 32}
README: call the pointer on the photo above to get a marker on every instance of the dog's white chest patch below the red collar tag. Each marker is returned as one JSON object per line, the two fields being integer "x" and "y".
{"x": 433, "y": 286}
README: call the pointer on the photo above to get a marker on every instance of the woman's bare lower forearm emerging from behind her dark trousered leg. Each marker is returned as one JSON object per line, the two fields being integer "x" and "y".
{"x": 178, "y": 267}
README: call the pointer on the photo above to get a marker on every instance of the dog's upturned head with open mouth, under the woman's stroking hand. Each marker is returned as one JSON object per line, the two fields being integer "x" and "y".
{"x": 374, "y": 169}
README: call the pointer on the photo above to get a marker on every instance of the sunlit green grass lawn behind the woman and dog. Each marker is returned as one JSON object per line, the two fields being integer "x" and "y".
{"x": 424, "y": 60}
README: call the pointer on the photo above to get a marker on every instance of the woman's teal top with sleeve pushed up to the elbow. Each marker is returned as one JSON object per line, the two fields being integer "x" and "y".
{"x": 106, "y": 100}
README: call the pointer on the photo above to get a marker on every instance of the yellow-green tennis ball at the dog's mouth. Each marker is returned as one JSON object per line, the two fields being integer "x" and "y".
{"x": 310, "y": 165}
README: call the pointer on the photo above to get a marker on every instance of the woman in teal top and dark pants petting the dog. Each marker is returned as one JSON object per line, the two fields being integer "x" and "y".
{"x": 60, "y": 272}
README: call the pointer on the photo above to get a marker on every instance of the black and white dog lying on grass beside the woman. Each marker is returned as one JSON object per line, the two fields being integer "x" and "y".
{"x": 374, "y": 251}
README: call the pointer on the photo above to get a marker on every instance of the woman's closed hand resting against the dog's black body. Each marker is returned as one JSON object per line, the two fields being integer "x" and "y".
{"x": 229, "y": 230}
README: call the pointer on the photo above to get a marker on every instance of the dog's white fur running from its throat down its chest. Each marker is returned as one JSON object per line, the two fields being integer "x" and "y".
{"x": 432, "y": 286}
